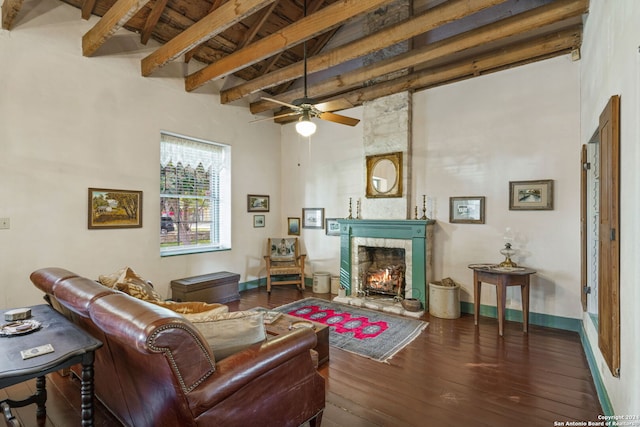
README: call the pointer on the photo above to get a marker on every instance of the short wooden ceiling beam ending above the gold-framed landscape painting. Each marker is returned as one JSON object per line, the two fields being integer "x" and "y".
{"x": 111, "y": 21}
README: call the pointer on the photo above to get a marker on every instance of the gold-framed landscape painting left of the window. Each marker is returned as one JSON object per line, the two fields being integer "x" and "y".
{"x": 114, "y": 208}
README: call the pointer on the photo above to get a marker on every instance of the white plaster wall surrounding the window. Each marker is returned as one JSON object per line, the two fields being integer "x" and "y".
{"x": 68, "y": 123}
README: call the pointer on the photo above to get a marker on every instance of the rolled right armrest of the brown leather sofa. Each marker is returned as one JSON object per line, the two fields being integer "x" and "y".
{"x": 240, "y": 369}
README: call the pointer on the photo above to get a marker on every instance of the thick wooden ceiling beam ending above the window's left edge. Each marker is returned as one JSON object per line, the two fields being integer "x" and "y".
{"x": 208, "y": 27}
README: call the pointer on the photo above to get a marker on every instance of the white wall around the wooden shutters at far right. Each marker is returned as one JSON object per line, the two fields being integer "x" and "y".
{"x": 611, "y": 66}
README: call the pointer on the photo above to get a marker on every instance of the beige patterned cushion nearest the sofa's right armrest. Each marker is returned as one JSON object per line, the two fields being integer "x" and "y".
{"x": 232, "y": 332}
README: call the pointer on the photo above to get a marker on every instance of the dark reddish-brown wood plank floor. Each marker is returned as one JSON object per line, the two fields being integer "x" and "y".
{"x": 453, "y": 374}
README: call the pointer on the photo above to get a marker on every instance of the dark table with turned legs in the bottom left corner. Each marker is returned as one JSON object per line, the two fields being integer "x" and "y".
{"x": 71, "y": 346}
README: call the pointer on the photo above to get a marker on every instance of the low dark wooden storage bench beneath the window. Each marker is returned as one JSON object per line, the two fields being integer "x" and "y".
{"x": 218, "y": 287}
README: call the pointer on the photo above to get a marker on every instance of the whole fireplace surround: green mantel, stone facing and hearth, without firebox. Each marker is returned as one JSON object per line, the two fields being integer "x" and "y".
{"x": 414, "y": 236}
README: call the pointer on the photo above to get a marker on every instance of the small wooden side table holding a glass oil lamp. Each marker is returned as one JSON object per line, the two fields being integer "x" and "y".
{"x": 501, "y": 278}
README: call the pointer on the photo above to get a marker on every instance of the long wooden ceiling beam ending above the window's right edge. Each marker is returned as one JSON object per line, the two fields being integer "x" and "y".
{"x": 389, "y": 36}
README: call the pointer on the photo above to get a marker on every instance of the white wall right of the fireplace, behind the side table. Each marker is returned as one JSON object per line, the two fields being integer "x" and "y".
{"x": 471, "y": 139}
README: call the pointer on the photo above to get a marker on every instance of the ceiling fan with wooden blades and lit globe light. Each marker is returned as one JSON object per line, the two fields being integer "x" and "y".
{"x": 307, "y": 108}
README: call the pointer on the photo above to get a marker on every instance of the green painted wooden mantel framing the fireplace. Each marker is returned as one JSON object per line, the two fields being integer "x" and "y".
{"x": 419, "y": 232}
